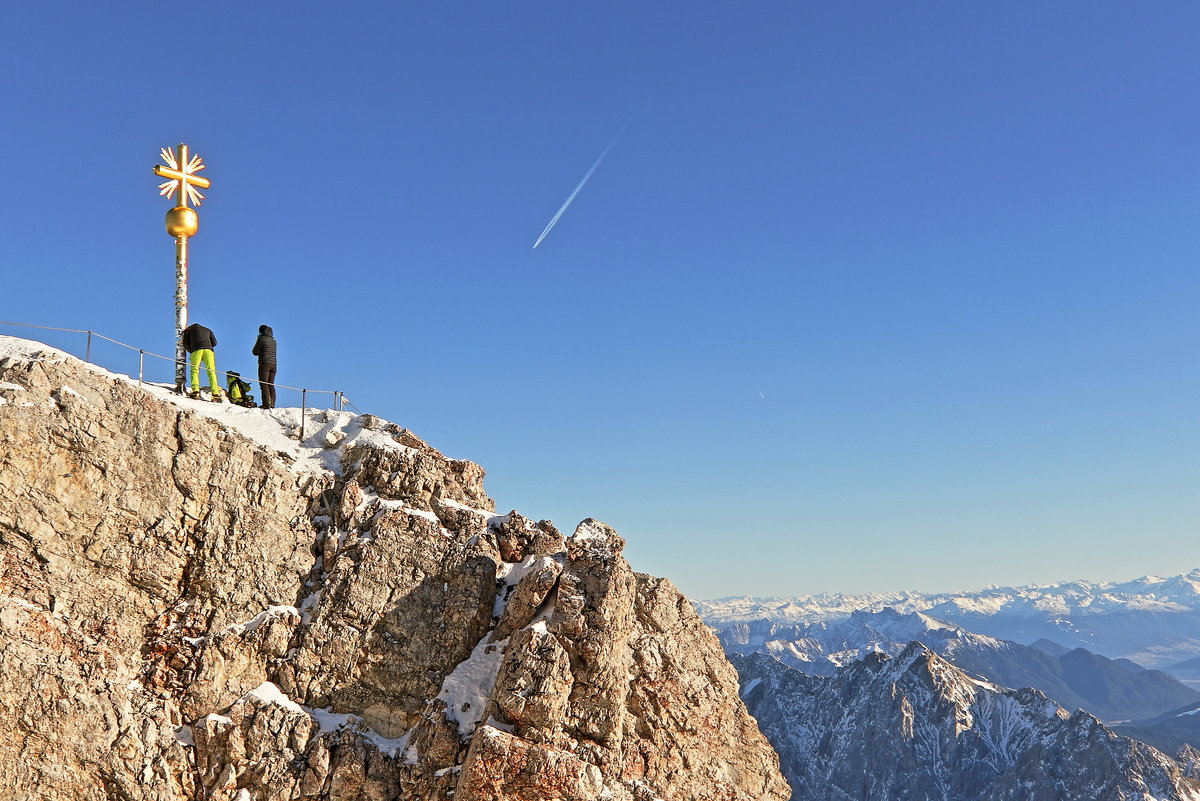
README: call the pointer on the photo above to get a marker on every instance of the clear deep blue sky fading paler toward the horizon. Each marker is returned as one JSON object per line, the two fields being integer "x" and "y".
{"x": 867, "y": 297}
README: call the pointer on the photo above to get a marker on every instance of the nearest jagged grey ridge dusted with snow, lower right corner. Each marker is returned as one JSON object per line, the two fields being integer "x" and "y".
{"x": 917, "y": 728}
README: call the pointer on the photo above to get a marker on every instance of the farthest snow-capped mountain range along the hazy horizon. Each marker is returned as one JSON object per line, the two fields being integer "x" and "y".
{"x": 1153, "y": 622}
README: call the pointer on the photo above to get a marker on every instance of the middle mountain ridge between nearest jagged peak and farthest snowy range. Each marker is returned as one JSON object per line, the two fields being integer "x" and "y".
{"x": 1078, "y": 679}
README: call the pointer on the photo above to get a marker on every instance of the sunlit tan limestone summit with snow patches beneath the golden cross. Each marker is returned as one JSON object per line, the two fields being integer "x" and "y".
{"x": 190, "y": 613}
